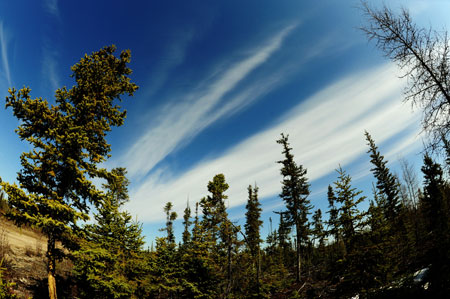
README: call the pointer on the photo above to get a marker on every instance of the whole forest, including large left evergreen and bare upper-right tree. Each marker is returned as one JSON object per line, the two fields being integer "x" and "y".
{"x": 397, "y": 248}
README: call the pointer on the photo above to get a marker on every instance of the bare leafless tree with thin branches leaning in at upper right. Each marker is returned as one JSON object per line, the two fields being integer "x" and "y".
{"x": 423, "y": 55}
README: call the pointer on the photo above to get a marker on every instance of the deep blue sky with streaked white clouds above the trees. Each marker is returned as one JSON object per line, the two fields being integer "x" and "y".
{"x": 219, "y": 81}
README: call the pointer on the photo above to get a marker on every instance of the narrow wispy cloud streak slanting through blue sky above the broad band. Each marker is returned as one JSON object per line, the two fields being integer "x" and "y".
{"x": 181, "y": 120}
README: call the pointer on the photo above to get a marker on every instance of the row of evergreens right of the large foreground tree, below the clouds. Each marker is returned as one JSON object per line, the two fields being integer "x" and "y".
{"x": 398, "y": 247}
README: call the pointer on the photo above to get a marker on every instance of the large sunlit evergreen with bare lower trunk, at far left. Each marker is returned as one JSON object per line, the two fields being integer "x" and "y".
{"x": 68, "y": 143}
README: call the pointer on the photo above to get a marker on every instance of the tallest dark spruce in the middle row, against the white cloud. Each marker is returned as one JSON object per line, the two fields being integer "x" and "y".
{"x": 294, "y": 192}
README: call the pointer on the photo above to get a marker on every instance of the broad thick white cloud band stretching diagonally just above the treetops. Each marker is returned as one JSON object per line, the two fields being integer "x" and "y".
{"x": 325, "y": 130}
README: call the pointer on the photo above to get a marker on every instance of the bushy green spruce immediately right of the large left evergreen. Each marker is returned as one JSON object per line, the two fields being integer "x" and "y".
{"x": 109, "y": 263}
